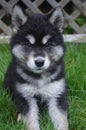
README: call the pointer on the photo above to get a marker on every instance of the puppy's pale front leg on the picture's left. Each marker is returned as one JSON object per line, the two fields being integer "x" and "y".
{"x": 31, "y": 117}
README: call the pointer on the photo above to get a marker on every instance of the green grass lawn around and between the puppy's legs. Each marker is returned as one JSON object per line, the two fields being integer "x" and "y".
{"x": 75, "y": 67}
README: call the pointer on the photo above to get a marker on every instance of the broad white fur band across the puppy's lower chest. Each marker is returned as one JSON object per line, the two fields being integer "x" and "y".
{"x": 53, "y": 89}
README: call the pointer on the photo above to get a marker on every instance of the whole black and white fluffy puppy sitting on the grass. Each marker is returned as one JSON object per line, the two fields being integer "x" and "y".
{"x": 36, "y": 72}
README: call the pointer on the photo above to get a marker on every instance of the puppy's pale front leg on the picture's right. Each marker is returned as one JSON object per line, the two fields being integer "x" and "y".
{"x": 58, "y": 116}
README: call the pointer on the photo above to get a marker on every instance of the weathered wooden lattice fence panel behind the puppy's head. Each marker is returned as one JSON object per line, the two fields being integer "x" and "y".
{"x": 71, "y": 8}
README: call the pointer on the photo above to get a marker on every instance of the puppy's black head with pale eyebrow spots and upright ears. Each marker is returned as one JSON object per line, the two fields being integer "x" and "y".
{"x": 37, "y": 42}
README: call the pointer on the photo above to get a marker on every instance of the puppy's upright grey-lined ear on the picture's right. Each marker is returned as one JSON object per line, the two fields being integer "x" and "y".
{"x": 56, "y": 18}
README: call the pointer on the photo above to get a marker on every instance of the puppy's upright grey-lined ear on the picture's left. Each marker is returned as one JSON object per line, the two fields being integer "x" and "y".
{"x": 18, "y": 18}
